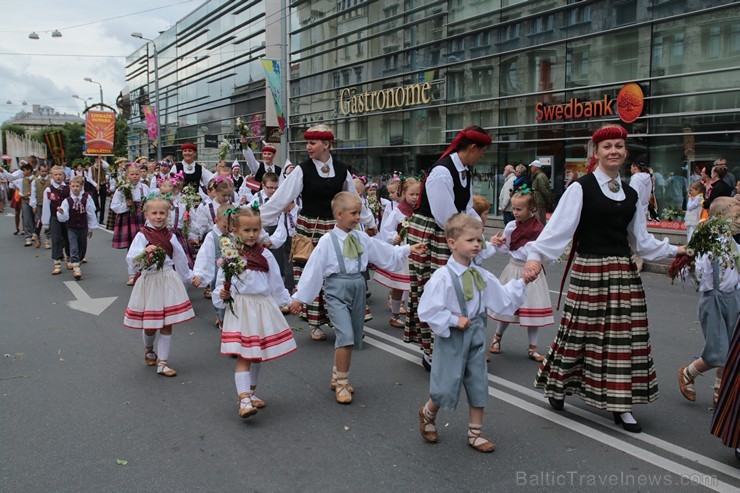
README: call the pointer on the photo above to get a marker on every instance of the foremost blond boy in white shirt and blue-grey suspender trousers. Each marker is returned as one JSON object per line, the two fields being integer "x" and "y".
{"x": 454, "y": 304}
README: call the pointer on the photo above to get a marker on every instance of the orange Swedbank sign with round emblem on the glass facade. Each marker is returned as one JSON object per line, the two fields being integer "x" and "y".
{"x": 629, "y": 105}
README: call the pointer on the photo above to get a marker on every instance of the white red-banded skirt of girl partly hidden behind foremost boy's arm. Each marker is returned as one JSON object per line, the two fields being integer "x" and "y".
{"x": 537, "y": 308}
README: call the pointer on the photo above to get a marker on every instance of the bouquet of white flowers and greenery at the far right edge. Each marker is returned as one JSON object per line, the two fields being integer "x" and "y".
{"x": 712, "y": 238}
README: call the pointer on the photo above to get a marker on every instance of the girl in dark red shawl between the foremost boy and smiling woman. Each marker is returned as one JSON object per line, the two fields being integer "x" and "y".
{"x": 536, "y": 311}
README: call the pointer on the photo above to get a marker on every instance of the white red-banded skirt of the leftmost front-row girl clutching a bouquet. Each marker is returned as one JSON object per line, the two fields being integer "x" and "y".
{"x": 158, "y": 299}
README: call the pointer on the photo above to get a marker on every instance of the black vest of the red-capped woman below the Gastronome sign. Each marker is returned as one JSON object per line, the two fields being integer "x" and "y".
{"x": 318, "y": 192}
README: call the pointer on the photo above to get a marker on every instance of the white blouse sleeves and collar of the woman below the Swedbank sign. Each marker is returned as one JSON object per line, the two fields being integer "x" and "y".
{"x": 561, "y": 227}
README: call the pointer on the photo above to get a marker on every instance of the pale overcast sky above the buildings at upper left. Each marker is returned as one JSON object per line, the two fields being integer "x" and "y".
{"x": 96, "y": 49}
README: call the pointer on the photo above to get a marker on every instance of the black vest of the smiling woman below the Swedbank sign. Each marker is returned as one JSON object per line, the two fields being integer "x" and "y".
{"x": 602, "y": 228}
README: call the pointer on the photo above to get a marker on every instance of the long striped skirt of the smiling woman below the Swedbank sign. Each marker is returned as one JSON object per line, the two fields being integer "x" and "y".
{"x": 602, "y": 349}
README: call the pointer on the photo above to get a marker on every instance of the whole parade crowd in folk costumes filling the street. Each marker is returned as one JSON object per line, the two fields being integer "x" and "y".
{"x": 306, "y": 239}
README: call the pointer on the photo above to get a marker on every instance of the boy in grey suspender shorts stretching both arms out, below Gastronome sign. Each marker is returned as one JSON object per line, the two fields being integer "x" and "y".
{"x": 340, "y": 257}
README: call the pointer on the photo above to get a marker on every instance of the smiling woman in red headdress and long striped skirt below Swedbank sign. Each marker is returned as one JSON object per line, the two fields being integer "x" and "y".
{"x": 602, "y": 349}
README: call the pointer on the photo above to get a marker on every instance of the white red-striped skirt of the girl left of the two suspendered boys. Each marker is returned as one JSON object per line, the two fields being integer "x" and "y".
{"x": 256, "y": 330}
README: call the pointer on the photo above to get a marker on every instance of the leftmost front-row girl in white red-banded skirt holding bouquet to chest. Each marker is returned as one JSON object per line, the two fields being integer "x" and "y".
{"x": 158, "y": 300}
